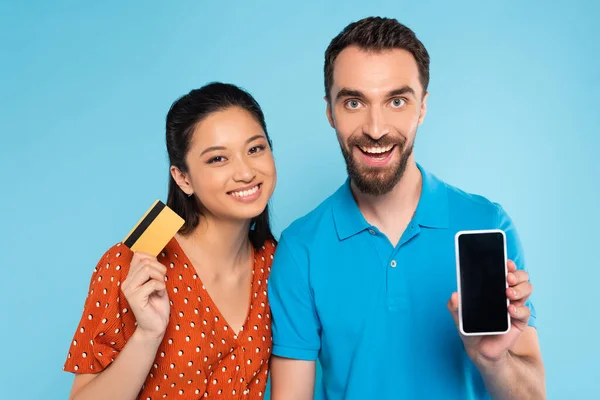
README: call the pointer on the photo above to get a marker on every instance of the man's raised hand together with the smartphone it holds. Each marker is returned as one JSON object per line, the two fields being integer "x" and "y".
{"x": 489, "y": 308}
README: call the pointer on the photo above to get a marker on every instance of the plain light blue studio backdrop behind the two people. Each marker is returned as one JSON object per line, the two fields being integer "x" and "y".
{"x": 85, "y": 88}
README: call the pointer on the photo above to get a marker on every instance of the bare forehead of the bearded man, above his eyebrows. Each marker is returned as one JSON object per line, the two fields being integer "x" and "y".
{"x": 375, "y": 71}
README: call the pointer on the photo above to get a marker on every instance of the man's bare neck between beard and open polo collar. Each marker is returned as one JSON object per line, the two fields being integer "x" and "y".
{"x": 393, "y": 211}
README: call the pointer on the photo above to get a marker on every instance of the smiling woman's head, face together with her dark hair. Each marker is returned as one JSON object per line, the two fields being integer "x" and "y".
{"x": 231, "y": 151}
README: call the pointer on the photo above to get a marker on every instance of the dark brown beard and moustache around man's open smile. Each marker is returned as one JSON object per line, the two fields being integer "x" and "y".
{"x": 376, "y": 181}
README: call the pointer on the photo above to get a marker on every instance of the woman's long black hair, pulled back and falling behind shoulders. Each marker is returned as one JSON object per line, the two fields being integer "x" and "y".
{"x": 184, "y": 115}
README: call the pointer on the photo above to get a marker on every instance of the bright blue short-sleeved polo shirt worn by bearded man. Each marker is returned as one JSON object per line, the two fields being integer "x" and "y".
{"x": 375, "y": 315}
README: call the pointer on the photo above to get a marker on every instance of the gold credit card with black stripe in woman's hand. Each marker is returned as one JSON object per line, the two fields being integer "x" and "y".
{"x": 156, "y": 228}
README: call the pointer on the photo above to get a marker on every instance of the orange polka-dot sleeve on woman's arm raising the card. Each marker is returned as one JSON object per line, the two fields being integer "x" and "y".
{"x": 106, "y": 319}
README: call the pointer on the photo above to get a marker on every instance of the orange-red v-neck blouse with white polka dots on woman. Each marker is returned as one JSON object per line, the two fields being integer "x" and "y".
{"x": 200, "y": 355}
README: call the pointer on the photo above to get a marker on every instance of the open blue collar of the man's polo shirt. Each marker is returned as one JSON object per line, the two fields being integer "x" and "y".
{"x": 432, "y": 210}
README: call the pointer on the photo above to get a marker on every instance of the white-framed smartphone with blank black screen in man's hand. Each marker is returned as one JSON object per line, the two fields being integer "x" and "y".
{"x": 481, "y": 277}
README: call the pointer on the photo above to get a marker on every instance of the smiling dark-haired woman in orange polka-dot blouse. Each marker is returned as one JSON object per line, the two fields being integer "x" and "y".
{"x": 194, "y": 321}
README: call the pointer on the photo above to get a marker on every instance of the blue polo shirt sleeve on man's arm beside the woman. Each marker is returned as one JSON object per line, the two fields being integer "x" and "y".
{"x": 296, "y": 327}
